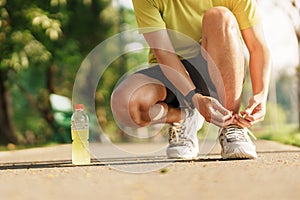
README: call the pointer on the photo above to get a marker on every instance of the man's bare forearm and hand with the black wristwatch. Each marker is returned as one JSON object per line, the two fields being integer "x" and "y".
{"x": 176, "y": 73}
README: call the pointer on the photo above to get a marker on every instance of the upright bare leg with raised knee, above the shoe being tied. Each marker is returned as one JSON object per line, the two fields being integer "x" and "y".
{"x": 222, "y": 42}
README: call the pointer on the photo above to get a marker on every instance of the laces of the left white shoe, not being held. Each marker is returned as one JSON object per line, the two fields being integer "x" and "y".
{"x": 177, "y": 134}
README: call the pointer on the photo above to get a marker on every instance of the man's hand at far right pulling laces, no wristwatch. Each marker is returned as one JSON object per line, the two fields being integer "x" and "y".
{"x": 254, "y": 113}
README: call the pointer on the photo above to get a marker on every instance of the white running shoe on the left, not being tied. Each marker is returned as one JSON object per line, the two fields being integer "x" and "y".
{"x": 183, "y": 140}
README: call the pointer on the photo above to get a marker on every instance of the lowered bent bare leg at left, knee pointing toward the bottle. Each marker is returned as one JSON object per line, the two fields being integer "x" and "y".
{"x": 138, "y": 100}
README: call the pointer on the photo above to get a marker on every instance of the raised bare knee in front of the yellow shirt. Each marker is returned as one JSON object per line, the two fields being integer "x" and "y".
{"x": 219, "y": 18}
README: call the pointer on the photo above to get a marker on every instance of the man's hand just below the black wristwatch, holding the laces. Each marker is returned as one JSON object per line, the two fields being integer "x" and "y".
{"x": 212, "y": 110}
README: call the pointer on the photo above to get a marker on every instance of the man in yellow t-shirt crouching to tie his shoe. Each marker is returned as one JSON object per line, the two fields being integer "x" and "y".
{"x": 188, "y": 83}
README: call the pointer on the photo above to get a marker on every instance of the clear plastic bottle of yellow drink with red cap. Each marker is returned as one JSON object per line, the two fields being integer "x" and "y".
{"x": 80, "y": 136}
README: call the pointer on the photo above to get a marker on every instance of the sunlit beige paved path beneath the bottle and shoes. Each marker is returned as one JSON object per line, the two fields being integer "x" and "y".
{"x": 47, "y": 173}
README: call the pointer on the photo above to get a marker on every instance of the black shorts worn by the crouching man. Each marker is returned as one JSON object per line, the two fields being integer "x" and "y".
{"x": 198, "y": 71}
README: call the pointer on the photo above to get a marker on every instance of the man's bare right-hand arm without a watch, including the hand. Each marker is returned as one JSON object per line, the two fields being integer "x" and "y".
{"x": 260, "y": 70}
